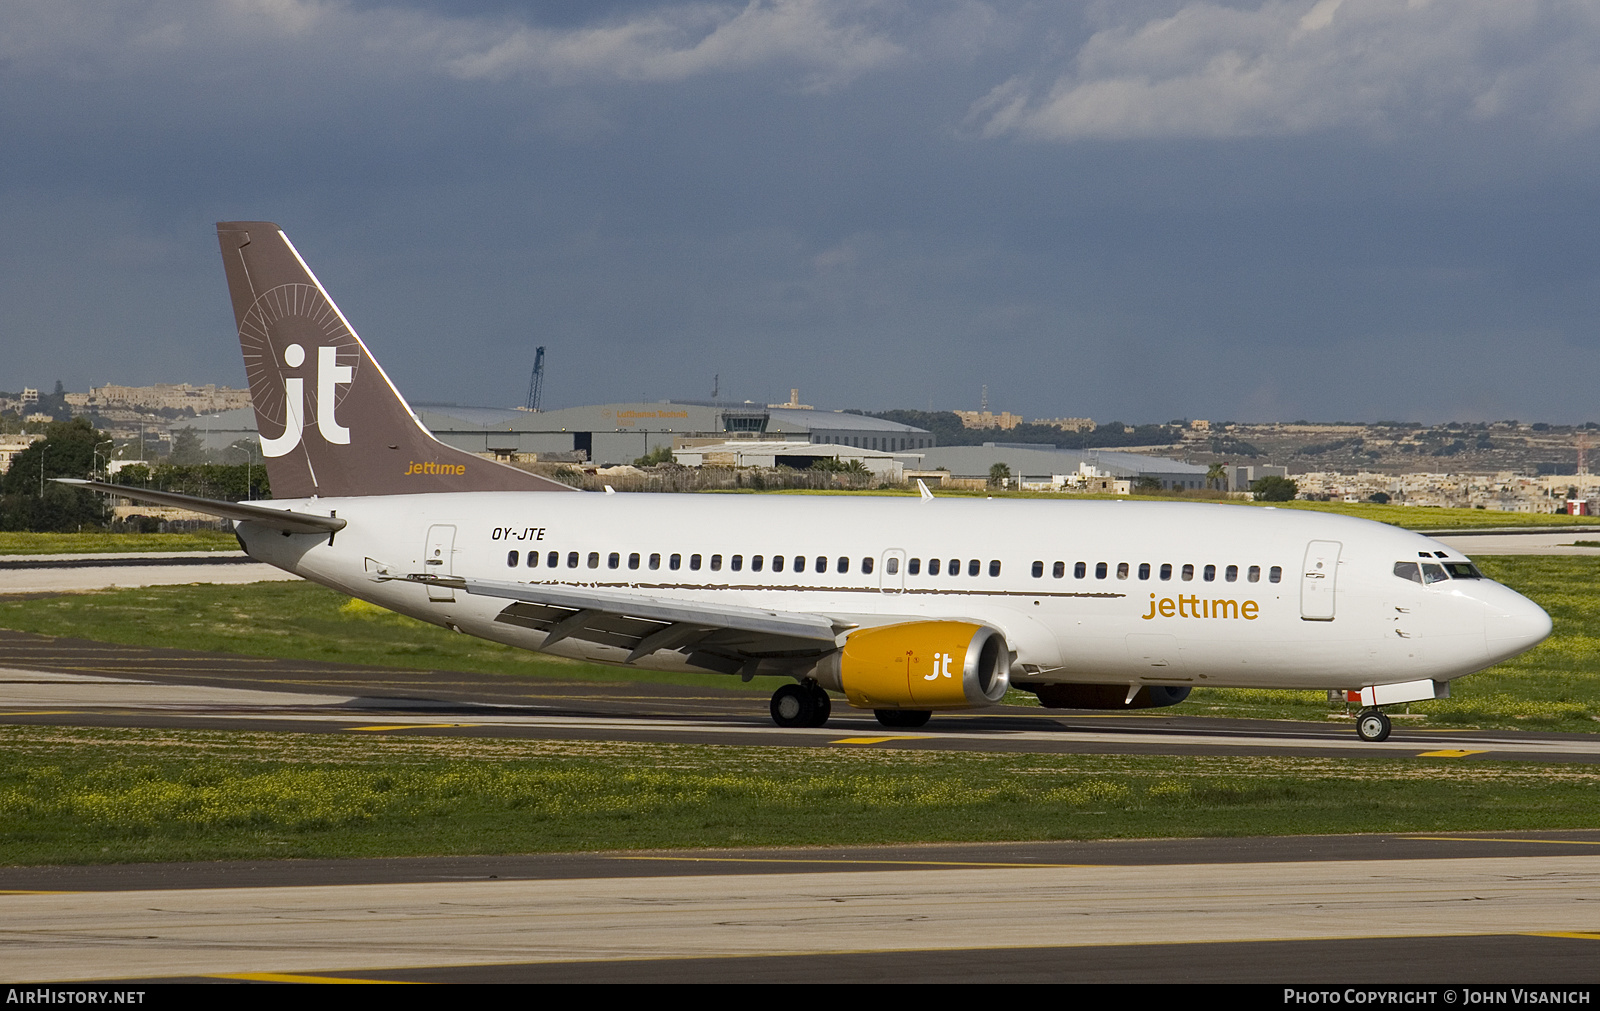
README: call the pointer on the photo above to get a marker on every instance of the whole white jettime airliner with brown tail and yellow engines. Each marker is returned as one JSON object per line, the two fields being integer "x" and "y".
{"x": 905, "y": 607}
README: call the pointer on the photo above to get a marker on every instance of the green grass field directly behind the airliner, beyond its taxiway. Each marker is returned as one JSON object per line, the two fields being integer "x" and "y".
{"x": 1554, "y": 687}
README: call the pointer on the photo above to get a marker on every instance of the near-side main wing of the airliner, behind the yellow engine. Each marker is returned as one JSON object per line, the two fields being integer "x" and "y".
{"x": 722, "y": 637}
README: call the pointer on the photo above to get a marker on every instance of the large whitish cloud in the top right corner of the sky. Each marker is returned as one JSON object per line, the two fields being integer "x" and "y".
{"x": 1294, "y": 68}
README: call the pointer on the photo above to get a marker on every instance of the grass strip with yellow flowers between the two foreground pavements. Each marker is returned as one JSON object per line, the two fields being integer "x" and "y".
{"x": 116, "y": 796}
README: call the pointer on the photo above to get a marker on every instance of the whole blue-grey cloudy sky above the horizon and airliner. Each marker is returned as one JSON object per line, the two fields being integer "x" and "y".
{"x": 1369, "y": 210}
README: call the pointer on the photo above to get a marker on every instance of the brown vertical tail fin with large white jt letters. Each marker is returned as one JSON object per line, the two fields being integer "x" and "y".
{"x": 330, "y": 420}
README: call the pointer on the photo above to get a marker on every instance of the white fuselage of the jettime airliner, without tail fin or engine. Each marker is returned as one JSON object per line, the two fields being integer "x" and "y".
{"x": 1097, "y": 612}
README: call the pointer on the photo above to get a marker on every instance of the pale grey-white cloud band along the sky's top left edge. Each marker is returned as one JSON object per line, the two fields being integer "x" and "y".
{"x": 822, "y": 42}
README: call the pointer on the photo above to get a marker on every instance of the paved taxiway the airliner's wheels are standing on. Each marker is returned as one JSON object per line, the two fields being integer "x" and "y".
{"x": 86, "y": 684}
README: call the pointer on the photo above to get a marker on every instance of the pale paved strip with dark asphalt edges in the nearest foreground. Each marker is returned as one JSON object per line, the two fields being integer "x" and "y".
{"x": 1519, "y": 908}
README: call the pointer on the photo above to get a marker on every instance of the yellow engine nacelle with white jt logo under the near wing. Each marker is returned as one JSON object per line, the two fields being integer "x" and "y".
{"x": 922, "y": 665}
